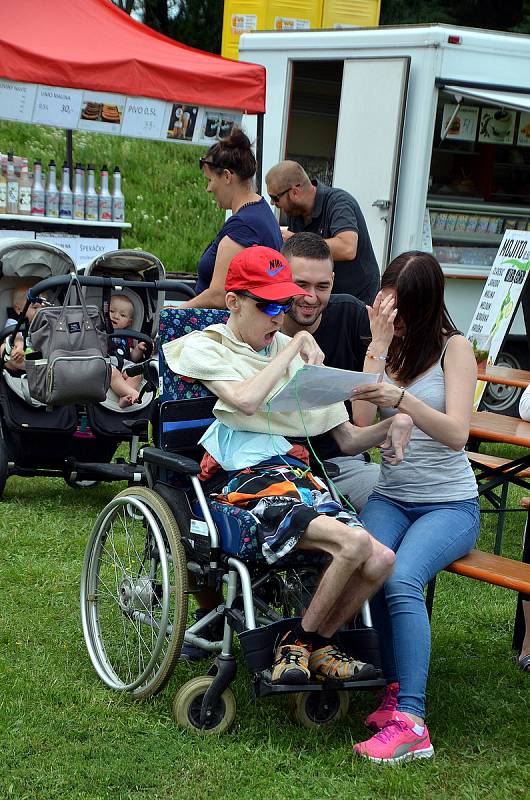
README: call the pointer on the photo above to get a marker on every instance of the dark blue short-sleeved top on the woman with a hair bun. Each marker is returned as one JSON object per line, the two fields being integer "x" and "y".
{"x": 252, "y": 224}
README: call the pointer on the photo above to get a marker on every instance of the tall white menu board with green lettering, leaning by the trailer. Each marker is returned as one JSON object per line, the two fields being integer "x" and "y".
{"x": 498, "y": 302}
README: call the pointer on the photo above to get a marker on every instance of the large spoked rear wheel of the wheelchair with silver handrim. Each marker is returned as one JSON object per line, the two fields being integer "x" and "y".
{"x": 133, "y": 593}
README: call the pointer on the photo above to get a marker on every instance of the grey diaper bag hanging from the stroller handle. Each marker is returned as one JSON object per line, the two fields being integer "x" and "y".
{"x": 68, "y": 361}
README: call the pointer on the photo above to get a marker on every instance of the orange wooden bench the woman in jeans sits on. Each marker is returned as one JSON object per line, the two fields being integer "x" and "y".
{"x": 489, "y": 568}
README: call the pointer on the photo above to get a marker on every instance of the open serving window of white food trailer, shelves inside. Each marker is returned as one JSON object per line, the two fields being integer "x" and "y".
{"x": 479, "y": 184}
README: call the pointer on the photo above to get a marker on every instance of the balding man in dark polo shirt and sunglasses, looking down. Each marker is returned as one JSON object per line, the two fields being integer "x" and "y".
{"x": 336, "y": 216}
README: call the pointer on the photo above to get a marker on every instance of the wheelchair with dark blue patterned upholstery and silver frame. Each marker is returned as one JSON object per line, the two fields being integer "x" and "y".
{"x": 149, "y": 540}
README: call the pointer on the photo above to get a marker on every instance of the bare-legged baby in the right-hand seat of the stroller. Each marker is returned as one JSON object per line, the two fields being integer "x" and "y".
{"x": 123, "y": 349}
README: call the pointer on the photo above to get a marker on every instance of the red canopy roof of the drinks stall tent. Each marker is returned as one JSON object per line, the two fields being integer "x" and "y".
{"x": 92, "y": 44}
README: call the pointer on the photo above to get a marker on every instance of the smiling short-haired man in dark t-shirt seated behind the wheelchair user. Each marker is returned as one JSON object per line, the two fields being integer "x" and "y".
{"x": 340, "y": 325}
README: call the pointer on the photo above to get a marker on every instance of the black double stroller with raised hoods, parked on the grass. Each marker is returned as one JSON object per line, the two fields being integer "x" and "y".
{"x": 77, "y": 442}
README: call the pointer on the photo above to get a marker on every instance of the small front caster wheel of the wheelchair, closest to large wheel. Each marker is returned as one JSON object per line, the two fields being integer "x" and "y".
{"x": 187, "y": 707}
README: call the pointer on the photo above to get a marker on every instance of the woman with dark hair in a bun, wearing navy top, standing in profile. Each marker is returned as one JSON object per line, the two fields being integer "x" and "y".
{"x": 230, "y": 167}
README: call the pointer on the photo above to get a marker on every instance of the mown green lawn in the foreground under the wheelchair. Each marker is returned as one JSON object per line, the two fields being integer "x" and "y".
{"x": 65, "y": 736}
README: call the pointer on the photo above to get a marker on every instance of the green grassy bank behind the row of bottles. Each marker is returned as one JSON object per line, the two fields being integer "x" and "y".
{"x": 166, "y": 202}
